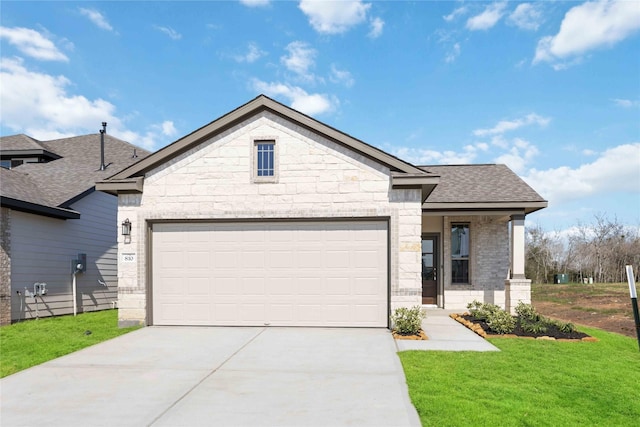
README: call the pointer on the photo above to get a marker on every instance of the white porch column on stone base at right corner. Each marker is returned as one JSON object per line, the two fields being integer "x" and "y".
{"x": 517, "y": 286}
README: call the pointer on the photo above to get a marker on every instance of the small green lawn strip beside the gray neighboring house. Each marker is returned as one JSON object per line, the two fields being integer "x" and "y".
{"x": 32, "y": 342}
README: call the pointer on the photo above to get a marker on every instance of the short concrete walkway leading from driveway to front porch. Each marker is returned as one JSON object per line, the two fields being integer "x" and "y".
{"x": 446, "y": 334}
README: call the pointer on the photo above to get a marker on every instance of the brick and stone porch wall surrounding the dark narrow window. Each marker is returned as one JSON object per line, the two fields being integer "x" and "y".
{"x": 488, "y": 263}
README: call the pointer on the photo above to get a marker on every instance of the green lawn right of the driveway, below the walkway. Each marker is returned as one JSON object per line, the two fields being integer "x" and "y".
{"x": 529, "y": 383}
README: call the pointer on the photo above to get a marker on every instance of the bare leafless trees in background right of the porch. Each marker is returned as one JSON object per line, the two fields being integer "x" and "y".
{"x": 599, "y": 251}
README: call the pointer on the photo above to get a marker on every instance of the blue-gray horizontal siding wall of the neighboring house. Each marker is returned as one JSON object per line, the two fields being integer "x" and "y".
{"x": 42, "y": 250}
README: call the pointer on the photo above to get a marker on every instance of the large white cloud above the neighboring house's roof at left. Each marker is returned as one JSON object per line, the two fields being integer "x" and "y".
{"x": 39, "y": 105}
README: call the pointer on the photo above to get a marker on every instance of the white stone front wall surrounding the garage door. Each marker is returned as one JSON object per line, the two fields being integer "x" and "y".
{"x": 317, "y": 179}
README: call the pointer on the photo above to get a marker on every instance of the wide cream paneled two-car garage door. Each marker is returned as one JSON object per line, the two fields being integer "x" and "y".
{"x": 280, "y": 274}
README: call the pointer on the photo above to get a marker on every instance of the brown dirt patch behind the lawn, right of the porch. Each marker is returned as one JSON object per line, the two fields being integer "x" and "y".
{"x": 603, "y": 306}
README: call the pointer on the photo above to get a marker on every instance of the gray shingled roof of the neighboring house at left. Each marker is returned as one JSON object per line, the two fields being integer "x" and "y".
{"x": 59, "y": 183}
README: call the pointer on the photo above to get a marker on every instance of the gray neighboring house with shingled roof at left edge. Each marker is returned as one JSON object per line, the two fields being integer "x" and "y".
{"x": 51, "y": 213}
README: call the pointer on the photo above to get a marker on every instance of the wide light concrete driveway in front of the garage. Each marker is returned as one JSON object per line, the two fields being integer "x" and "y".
{"x": 188, "y": 376}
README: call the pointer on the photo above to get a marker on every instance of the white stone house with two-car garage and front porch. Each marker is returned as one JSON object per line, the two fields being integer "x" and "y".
{"x": 267, "y": 216}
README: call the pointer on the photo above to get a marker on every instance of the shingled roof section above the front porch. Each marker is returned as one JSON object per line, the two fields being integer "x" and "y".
{"x": 481, "y": 187}
